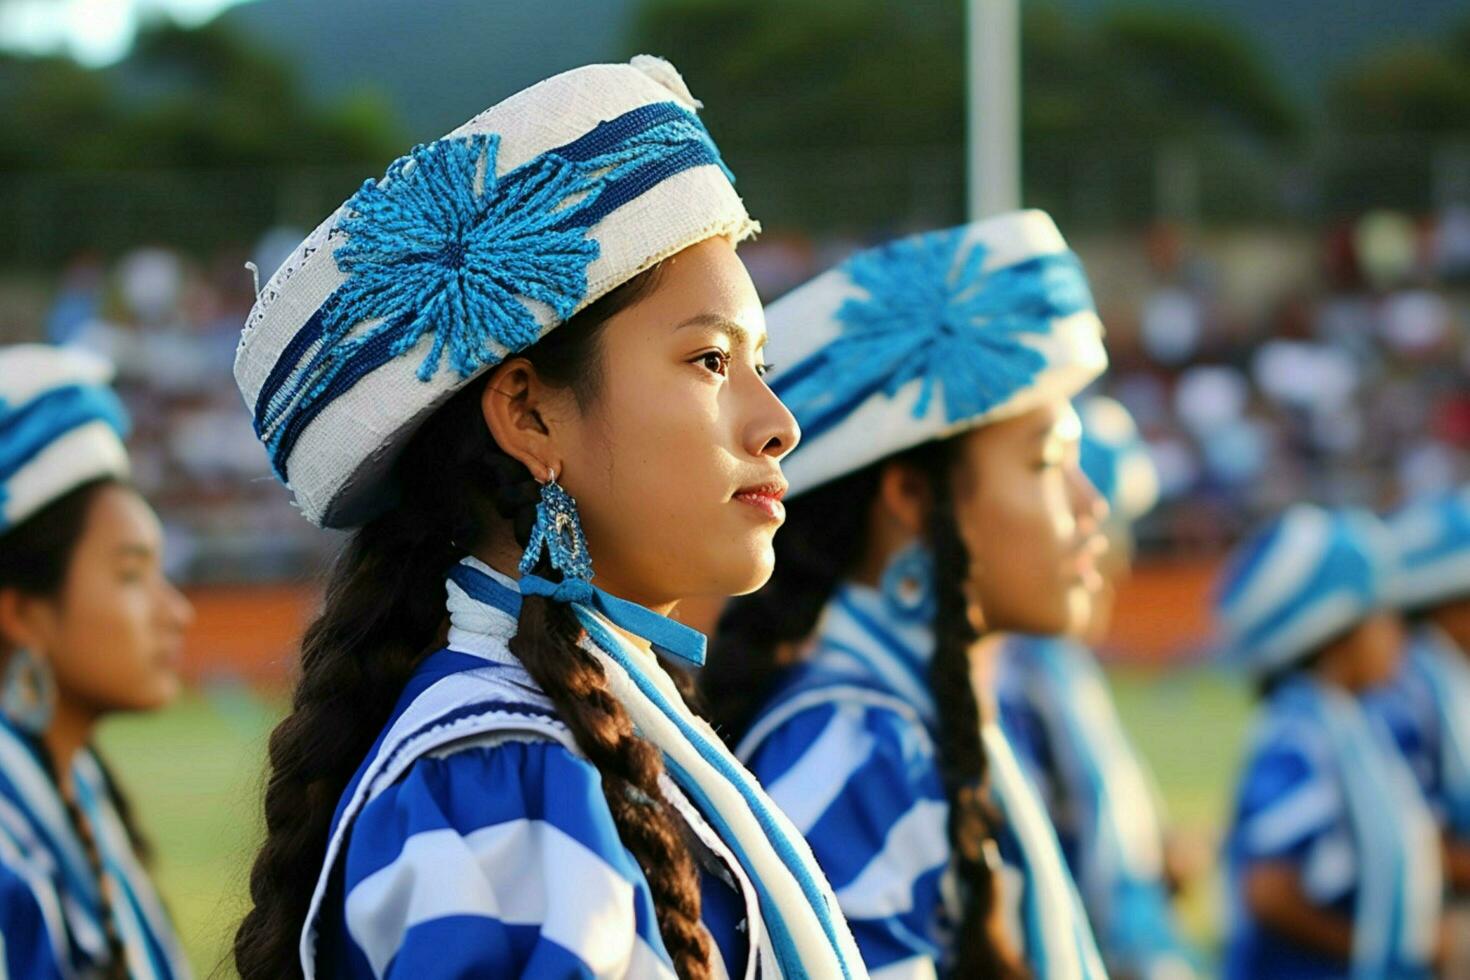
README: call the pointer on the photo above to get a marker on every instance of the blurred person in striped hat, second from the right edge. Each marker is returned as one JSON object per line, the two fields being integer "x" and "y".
{"x": 1334, "y": 857}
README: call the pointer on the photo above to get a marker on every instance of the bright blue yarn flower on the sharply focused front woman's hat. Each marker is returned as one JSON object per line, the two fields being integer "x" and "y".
{"x": 449, "y": 248}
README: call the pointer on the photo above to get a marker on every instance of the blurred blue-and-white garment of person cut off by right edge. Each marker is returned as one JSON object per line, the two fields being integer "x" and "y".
{"x": 1428, "y": 710}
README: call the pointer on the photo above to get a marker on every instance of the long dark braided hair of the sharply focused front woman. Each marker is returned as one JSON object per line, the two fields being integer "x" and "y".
{"x": 384, "y": 612}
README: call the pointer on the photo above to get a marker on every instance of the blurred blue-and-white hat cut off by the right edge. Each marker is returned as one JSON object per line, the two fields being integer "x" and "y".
{"x": 1433, "y": 550}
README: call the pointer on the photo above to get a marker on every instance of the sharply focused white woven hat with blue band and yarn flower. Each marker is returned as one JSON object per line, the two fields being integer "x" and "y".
{"x": 471, "y": 249}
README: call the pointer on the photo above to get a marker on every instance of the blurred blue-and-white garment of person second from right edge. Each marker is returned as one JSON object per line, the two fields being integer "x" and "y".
{"x": 1313, "y": 796}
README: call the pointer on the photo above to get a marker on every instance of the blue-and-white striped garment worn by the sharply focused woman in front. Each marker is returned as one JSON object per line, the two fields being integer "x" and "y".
{"x": 476, "y": 840}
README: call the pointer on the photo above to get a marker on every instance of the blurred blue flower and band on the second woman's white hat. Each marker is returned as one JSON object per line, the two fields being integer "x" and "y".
{"x": 931, "y": 314}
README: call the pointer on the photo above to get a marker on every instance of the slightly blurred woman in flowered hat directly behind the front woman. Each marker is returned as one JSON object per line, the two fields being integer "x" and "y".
{"x": 937, "y": 500}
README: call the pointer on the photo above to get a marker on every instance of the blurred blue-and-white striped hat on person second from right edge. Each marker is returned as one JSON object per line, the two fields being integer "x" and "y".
{"x": 1299, "y": 583}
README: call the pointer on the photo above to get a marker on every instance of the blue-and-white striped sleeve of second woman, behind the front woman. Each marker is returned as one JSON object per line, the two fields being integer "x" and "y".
{"x": 861, "y": 784}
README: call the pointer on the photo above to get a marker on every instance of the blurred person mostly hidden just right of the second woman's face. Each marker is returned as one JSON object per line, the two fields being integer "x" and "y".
{"x": 1058, "y": 712}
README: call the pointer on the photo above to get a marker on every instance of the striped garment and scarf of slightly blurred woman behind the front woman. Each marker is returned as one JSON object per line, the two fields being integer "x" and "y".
{"x": 847, "y": 750}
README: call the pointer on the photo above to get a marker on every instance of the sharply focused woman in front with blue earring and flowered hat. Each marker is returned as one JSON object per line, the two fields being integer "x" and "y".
{"x": 526, "y": 353}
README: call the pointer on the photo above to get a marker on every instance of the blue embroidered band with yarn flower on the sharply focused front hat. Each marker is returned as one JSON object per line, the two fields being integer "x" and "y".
{"x": 427, "y": 253}
